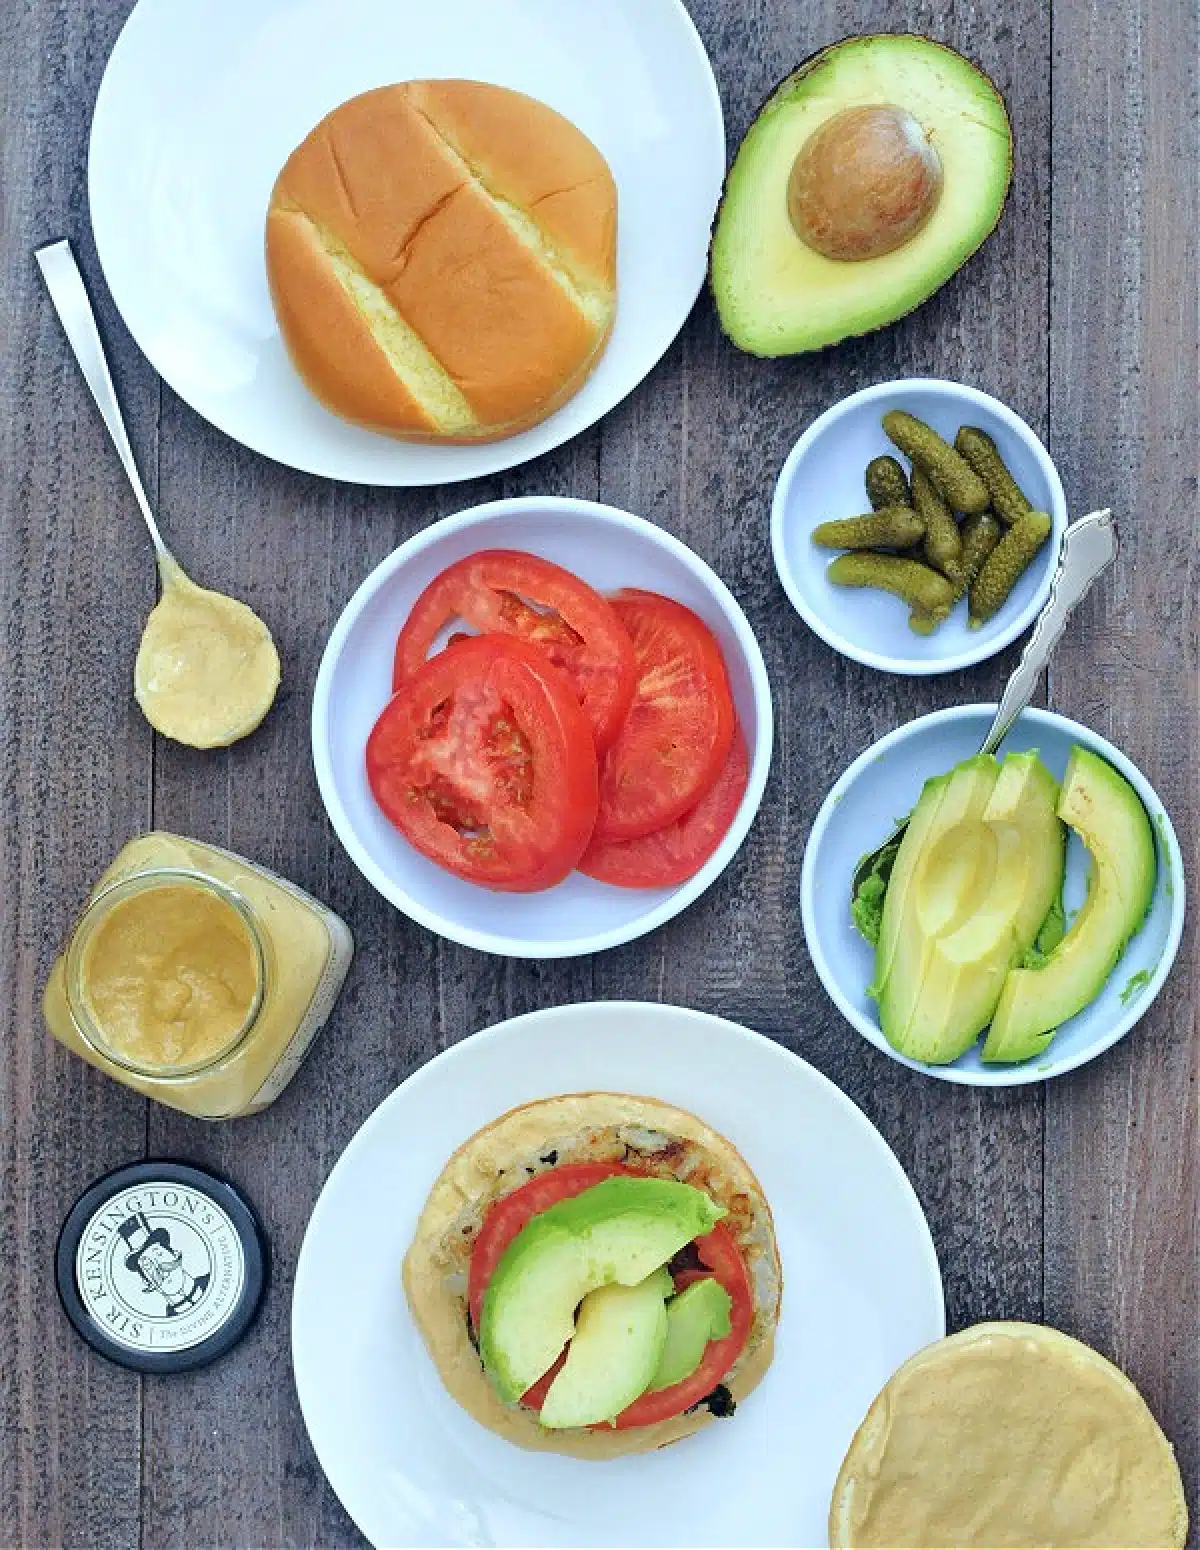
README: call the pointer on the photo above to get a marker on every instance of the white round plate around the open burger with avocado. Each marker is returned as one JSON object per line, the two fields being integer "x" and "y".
{"x": 861, "y": 1295}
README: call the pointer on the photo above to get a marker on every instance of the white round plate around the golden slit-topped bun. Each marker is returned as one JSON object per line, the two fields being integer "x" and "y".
{"x": 204, "y": 102}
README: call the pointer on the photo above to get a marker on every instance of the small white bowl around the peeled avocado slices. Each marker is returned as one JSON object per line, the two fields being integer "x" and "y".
{"x": 881, "y": 787}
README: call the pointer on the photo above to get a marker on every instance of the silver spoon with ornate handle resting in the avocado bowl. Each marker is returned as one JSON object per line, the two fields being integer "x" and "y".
{"x": 1089, "y": 548}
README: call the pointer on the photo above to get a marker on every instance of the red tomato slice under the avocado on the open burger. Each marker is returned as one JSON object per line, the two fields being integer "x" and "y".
{"x": 719, "y": 1252}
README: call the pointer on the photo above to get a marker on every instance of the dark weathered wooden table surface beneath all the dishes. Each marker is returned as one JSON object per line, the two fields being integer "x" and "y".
{"x": 1074, "y": 1204}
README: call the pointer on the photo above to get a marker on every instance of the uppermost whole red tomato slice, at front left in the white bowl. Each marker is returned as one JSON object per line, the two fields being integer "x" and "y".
{"x": 486, "y": 763}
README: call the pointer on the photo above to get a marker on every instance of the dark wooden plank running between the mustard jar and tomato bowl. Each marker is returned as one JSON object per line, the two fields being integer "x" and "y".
{"x": 295, "y": 549}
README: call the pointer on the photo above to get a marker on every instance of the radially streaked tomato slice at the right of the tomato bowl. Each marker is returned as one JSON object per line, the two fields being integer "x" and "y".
{"x": 680, "y": 728}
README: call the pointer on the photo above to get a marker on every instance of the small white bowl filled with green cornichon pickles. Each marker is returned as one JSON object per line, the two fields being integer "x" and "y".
{"x": 917, "y": 526}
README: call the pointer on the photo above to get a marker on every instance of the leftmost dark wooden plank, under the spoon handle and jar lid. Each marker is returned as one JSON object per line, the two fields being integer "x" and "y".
{"x": 77, "y": 577}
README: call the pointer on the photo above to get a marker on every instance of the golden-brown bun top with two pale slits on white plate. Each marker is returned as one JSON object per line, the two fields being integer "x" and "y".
{"x": 443, "y": 260}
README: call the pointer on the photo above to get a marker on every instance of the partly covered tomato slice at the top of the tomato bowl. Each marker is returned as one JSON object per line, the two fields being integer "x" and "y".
{"x": 506, "y": 593}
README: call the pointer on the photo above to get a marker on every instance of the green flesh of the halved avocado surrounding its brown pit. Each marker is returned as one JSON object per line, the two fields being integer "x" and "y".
{"x": 779, "y": 297}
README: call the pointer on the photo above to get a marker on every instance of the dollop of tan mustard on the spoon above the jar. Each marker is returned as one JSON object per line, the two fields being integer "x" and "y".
{"x": 207, "y": 669}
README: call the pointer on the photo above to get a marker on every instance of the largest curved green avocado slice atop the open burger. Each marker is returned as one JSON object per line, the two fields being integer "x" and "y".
{"x": 619, "y": 1231}
